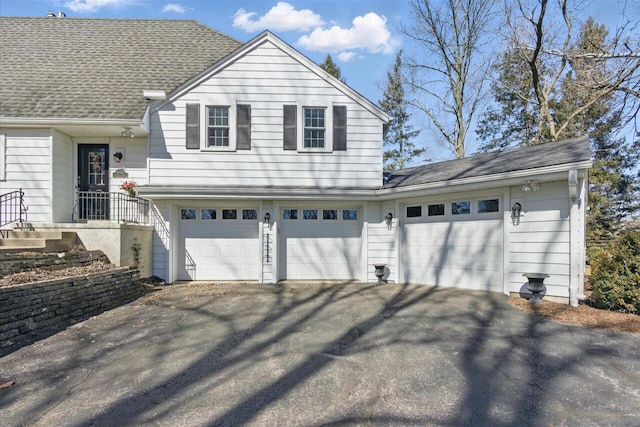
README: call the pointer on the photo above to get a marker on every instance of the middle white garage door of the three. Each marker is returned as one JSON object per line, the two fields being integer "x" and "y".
{"x": 319, "y": 244}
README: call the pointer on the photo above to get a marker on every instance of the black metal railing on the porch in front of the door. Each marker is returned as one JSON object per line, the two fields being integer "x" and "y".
{"x": 118, "y": 207}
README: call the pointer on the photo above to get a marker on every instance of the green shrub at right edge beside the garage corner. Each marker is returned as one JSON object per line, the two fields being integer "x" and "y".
{"x": 616, "y": 274}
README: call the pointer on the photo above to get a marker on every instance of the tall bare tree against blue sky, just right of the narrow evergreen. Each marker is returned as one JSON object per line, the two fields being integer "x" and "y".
{"x": 446, "y": 79}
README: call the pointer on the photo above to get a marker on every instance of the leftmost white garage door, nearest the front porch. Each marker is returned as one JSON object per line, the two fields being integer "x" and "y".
{"x": 218, "y": 244}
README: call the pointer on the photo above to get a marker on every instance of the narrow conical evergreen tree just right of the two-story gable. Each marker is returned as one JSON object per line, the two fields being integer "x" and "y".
{"x": 398, "y": 135}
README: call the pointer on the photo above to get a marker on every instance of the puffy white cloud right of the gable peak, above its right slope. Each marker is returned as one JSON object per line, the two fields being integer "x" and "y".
{"x": 369, "y": 32}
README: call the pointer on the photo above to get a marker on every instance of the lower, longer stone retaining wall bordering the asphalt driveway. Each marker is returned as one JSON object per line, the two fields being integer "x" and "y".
{"x": 42, "y": 308}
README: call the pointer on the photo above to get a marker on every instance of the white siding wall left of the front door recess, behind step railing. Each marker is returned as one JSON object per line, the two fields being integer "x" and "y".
{"x": 28, "y": 166}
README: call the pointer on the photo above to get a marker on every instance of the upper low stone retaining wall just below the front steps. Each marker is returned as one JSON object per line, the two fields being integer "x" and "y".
{"x": 16, "y": 262}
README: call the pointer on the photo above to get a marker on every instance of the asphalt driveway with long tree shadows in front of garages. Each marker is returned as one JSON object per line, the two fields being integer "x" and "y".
{"x": 322, "y": 354}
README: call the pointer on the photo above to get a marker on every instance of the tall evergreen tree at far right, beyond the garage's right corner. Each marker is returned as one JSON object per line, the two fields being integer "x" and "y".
{"x": 612, "y": 188}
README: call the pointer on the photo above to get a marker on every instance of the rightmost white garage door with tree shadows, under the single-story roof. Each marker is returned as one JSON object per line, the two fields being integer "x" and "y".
{"x": 456, "y": 244}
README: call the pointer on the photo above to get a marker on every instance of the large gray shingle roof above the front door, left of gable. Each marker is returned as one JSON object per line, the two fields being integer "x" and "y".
{"x": 98, "y": 68}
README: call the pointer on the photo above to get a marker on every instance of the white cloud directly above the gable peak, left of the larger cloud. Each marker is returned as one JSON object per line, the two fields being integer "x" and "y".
{"x": 281, "y": 17}
